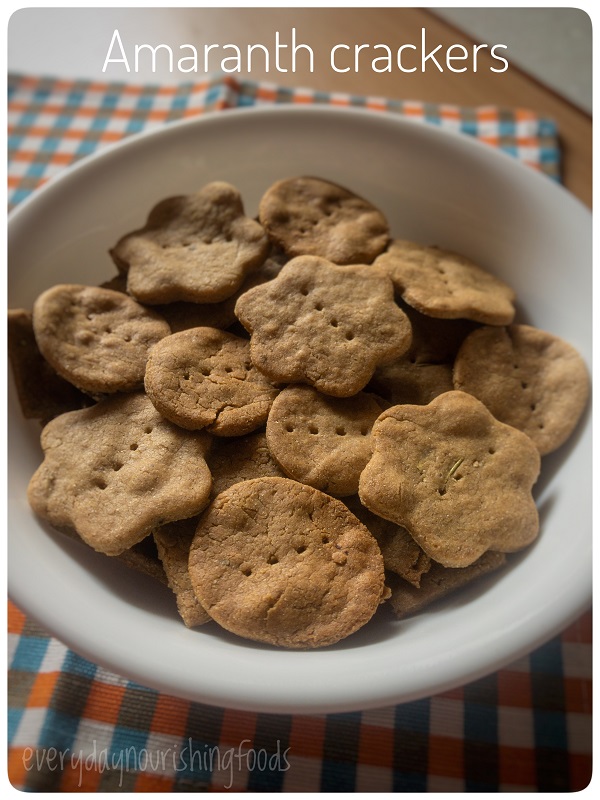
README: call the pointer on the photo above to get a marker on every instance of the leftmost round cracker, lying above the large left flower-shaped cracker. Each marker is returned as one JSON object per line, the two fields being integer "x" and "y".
{"x": 97, "y": 339}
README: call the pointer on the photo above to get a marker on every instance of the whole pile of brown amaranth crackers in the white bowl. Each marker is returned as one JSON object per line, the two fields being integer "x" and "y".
{"x": 295, "y": 419}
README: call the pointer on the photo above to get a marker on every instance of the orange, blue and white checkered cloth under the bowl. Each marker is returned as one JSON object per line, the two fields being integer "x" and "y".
{"x": 74, "y": 726}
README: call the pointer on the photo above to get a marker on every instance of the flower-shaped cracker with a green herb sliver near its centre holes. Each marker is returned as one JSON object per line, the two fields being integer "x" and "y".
{"x": 457, "y": 479}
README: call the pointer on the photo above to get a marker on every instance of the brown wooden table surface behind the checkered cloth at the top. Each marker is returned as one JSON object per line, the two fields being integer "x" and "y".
{"x": 322, "y": 28}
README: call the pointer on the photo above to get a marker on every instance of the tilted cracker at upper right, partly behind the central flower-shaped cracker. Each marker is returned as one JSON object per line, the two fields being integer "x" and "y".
{"x": 445, "y": 284}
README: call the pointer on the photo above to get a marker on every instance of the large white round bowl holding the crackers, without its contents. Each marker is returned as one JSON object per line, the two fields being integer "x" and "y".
{"x": 435, "y": 187}
